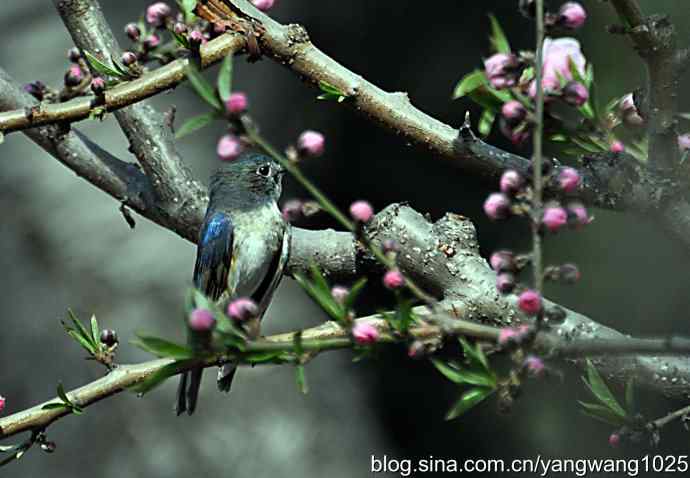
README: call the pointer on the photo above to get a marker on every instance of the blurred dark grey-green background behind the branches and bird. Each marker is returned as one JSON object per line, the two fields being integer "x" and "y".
{"x": 64, "y": 244}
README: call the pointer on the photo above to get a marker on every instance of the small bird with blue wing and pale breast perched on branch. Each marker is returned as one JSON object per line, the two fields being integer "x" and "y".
{"x": 242, "y": 250}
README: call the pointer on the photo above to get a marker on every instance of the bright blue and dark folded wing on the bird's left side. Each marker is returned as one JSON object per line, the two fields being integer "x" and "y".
{"x": 214, "y": 255}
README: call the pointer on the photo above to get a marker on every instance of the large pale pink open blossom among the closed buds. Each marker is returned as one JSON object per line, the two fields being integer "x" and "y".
{"x": 557, "y": 56}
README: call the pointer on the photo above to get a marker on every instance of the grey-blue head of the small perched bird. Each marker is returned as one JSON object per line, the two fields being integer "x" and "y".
{"x": 249, "y": 178}
